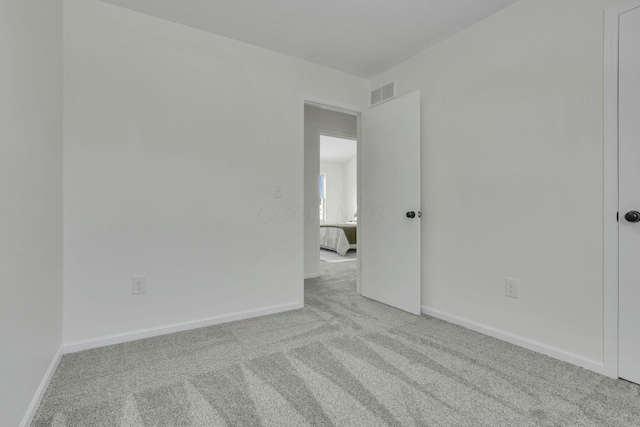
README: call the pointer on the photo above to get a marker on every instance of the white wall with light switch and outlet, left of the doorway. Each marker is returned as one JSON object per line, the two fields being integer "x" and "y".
{"x": 175, "y": 140}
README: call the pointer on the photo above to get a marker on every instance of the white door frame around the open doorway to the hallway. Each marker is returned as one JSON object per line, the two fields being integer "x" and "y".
{"x": 339, "y": 107}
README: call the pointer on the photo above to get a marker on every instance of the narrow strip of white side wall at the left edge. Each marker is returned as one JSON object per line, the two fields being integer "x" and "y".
{"x": 30, "y": 199}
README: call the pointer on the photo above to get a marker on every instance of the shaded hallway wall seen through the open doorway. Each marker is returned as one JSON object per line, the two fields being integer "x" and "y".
{"x": 317, "y": 120}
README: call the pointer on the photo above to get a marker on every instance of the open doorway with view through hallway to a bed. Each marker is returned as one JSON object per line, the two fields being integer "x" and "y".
{"x": 330, "y": 187}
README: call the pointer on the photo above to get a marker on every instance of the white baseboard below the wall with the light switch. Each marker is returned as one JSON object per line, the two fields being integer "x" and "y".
{"x": 90, "y": 343}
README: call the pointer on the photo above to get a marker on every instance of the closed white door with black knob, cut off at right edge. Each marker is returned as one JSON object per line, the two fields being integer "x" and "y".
{"x": 629, "y": 196}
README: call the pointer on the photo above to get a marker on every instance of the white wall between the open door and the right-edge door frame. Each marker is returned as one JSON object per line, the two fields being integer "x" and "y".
{"x": 512, "y": 119}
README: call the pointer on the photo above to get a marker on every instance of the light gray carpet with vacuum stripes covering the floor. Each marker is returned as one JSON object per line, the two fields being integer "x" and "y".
{"x": 341, "y": 361}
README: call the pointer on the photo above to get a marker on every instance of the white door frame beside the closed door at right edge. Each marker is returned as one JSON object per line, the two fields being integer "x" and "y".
{"x": 610, "y": 213}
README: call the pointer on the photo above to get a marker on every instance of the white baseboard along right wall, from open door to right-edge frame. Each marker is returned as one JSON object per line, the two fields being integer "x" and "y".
{"x": 551, "y": 351}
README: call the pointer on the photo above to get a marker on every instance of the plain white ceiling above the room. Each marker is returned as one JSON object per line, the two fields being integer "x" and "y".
{"x": 360, "y": 37}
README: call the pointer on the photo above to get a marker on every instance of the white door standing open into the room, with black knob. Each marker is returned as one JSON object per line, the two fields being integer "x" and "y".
{"x": 389, "y": 241}
